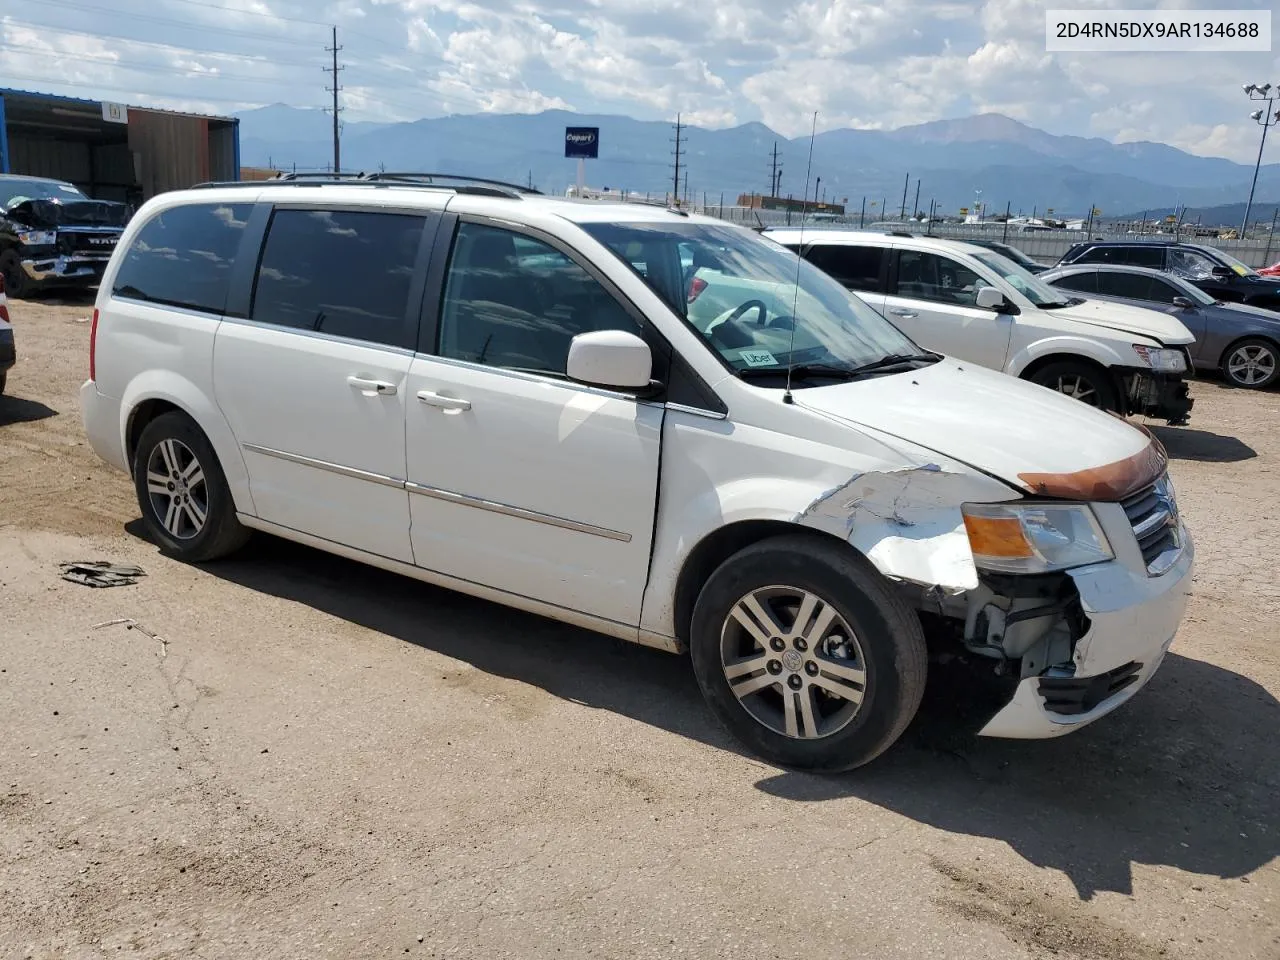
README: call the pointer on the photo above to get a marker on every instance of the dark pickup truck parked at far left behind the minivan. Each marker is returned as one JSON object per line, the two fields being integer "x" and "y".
{"x": 54, "y": 236}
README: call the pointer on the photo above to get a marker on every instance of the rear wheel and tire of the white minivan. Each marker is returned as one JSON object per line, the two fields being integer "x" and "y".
{"x": 182, "y": 492}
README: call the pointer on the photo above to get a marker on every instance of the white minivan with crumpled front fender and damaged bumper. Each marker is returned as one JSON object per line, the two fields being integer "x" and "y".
{"x": 502, "y": 394}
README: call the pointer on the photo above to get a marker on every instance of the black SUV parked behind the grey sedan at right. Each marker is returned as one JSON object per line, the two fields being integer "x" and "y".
{"x": 1217, "y": 273}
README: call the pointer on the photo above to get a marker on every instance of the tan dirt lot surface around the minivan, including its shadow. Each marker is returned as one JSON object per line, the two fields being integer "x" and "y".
{"x": 322, "y": 760}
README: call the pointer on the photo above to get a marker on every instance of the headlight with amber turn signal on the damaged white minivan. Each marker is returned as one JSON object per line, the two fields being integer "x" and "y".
{"x": 1035, "y": 538}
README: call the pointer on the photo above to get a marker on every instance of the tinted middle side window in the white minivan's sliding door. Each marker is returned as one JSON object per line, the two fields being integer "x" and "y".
{"x": 340, "y": 272}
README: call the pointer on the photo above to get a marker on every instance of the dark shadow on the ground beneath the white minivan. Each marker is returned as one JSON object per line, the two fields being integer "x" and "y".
{"x": 1183, "y": 776}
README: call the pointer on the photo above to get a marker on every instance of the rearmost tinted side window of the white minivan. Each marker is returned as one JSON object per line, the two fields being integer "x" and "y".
{"x": 184, "y": 257}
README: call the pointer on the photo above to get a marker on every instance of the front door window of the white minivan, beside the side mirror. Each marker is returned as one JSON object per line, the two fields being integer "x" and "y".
{"x": 516, "y": 303}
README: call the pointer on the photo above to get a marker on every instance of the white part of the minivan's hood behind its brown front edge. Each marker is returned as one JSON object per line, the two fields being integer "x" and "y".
{"x": 1004, "y": 427}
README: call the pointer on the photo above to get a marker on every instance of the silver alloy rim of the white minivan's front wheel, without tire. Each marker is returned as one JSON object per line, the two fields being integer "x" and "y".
{"x": 793, "y": 662}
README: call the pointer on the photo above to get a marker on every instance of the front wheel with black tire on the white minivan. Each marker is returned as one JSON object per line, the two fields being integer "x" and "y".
{"x": 807, "y": 656}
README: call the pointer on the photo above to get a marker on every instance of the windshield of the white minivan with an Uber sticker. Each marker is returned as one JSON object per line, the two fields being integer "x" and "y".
{"x": 739, "y": 291}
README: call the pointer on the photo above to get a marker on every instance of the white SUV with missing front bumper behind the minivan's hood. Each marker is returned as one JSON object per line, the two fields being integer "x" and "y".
{"x": 975, "y": 304}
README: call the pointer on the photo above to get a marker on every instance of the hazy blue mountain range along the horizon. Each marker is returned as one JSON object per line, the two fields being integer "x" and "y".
{"x": 990, "y": 157}
